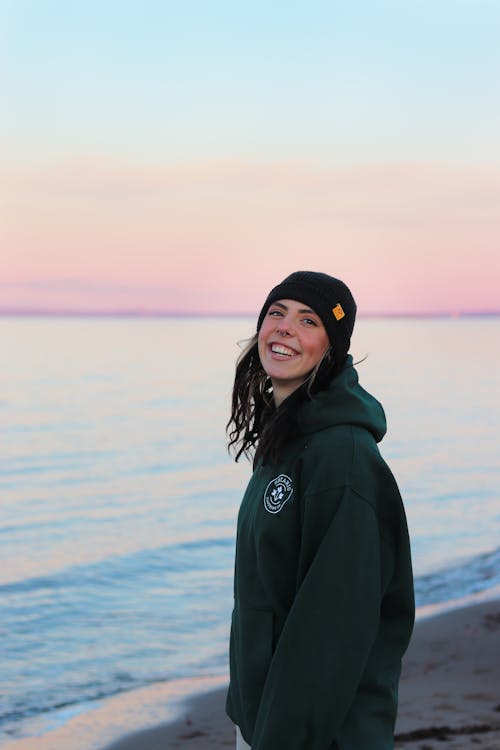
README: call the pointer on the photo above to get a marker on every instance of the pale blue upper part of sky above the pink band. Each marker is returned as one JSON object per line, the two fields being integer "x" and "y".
{"x": 341, "y": 82}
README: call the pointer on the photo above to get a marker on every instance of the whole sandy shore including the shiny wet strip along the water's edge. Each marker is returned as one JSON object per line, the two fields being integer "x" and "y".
{"x": 450, "y": 690}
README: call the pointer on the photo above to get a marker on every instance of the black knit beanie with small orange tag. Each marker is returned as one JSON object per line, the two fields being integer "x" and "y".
{"x": 330, "y": 298}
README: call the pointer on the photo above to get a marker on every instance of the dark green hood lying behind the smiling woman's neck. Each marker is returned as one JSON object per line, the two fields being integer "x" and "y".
{"x": 344, "y": 402}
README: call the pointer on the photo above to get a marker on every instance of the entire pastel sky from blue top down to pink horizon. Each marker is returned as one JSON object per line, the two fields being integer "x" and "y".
{"x": 185, "y": 157}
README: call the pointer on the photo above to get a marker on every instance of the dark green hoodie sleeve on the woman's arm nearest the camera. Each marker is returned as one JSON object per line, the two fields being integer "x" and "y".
{"x": 333, "y": 622}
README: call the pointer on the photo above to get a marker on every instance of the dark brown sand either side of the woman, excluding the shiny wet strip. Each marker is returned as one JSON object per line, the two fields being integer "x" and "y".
{"x": 449, "y": 693}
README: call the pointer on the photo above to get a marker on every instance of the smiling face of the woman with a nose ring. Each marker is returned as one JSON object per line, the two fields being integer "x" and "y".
{"x": 292, "y": 340}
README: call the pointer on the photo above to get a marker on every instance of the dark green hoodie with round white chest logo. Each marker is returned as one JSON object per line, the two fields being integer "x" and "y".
{"x": 323, "y": 589}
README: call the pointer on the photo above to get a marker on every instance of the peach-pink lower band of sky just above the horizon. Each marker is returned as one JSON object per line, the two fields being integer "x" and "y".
{"x": 103, "y": 235}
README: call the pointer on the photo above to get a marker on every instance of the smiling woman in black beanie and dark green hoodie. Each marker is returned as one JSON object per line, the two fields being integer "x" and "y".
{"x": 324, "y": 603}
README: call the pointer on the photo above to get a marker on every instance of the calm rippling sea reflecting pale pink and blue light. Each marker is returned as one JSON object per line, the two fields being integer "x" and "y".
{"x": 119, "y": 501}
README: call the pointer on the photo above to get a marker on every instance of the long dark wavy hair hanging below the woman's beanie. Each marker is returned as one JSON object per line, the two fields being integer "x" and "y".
{"x": 256, "y": 426}
